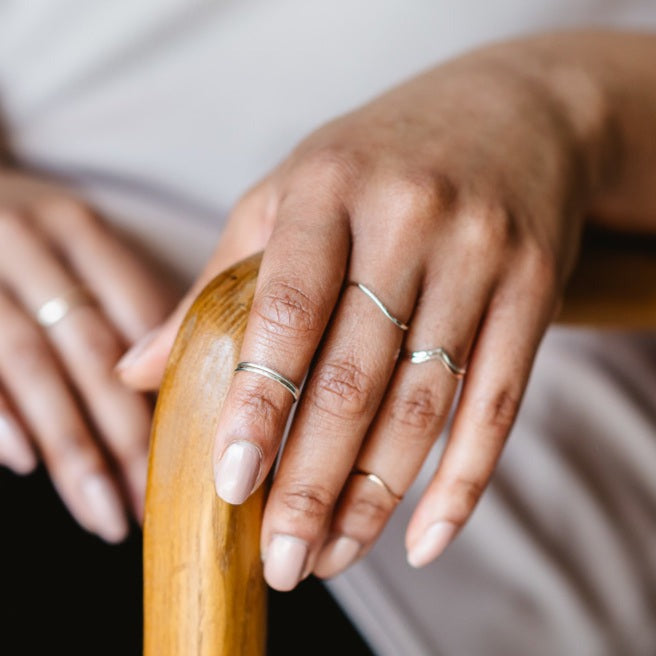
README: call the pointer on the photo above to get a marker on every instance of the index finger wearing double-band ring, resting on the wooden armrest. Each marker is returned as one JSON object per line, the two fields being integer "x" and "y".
{"x": 300, "y": 279}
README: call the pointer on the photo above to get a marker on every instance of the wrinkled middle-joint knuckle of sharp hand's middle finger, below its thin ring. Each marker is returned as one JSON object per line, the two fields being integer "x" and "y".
{"x": 341, "y": 388}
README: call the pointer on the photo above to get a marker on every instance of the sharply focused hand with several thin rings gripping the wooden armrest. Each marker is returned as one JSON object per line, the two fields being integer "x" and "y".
{"x": 457, "y": 199}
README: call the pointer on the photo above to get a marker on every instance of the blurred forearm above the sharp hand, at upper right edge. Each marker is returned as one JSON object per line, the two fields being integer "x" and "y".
{"x": 606, "y": 83}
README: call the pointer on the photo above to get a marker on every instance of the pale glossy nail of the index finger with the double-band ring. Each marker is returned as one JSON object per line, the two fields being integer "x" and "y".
{"x": 237, "y": 472}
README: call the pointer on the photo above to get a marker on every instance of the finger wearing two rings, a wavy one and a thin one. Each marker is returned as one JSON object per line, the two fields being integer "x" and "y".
{"x": 412, "y": 415}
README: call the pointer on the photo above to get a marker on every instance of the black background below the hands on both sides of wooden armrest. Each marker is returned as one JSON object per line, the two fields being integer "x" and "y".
{"x": 65, "y": 591}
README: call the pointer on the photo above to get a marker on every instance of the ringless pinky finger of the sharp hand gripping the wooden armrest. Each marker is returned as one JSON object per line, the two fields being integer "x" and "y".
{"x": 498, "y": 373}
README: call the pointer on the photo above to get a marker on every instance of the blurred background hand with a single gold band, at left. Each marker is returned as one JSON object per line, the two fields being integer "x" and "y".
{"x": 59, "y": 397}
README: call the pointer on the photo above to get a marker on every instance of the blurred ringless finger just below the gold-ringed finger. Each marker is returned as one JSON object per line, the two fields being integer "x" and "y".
{"x": 40, "y": 394}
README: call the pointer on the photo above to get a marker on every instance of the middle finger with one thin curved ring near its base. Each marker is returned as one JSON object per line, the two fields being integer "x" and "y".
{"x": 339, "y": 402}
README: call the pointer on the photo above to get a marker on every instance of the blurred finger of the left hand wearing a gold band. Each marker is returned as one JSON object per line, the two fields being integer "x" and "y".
{"x": 88, "y": 348}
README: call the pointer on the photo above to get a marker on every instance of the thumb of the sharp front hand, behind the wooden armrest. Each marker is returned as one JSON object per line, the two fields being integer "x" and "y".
{"x": 246, "y": 233}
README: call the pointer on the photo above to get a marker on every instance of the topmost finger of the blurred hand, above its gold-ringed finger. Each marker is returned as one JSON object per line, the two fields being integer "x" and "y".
{"x": 125, "y": 286}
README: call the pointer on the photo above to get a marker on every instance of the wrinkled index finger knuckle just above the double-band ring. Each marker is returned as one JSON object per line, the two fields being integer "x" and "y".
{"x": 286, "y": 310}
